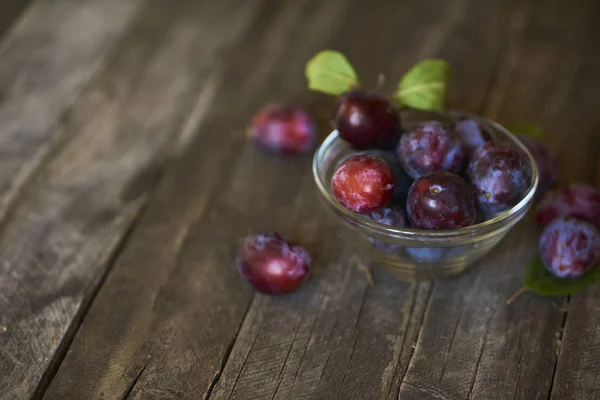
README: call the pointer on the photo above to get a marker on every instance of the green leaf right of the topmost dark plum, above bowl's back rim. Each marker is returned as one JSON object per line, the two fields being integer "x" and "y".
{"x": 425, "y": 85}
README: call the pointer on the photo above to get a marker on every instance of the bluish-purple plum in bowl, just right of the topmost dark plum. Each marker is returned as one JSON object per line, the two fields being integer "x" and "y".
{"x": 429, "y": 147}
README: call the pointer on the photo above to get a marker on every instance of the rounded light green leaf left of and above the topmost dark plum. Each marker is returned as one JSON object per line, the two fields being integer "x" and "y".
{"x": 330, "y": 72}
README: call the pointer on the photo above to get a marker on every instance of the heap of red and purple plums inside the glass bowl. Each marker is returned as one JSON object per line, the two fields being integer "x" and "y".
{"x": 443, "y": 175}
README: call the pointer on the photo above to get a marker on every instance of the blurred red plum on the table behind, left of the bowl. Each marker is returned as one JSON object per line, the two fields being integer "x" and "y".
{"x": 283, "y": 129}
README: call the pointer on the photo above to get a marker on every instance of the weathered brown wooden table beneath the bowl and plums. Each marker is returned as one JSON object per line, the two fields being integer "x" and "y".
{"x": 125, "y": 183}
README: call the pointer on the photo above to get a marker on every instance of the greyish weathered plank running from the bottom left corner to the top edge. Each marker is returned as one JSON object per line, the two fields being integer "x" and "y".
{"x": 59, "y": 237}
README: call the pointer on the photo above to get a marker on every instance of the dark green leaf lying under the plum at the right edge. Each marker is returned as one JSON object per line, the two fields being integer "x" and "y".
{"x": 539, "y": 280}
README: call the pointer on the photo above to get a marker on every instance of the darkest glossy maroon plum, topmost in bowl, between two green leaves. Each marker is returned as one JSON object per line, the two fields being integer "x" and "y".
{"x": 367, "y": 120}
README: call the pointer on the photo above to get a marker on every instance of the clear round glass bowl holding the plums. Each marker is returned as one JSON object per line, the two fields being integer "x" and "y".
{"x": 416, "y": 254}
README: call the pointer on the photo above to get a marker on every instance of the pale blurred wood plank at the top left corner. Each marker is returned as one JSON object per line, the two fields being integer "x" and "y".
{"x": 46, "y": 61}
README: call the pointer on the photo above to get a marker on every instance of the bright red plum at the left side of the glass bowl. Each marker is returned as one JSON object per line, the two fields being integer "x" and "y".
{"x": 363, "y": 183}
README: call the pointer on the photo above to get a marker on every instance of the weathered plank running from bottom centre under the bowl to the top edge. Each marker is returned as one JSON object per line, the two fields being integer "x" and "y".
{"x": 337, "y": 337}
